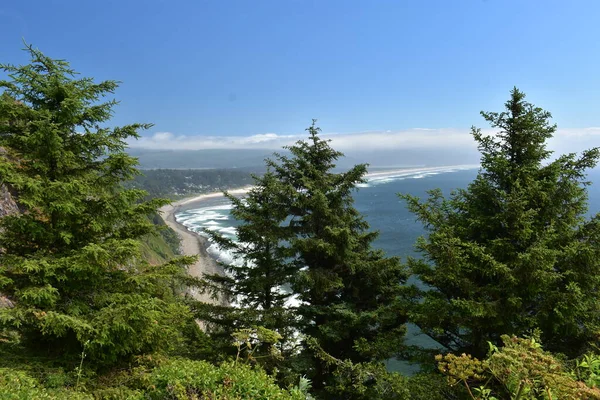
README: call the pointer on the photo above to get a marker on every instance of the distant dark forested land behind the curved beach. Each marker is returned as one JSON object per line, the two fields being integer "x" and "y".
{"x": 174, "y": 183}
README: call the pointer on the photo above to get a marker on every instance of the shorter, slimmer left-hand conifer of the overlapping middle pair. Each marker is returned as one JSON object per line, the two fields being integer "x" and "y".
{"x": 254, "y": 281}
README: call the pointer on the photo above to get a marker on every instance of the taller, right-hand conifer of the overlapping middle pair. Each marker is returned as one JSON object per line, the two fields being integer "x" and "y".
{"x": 351, "y": 295}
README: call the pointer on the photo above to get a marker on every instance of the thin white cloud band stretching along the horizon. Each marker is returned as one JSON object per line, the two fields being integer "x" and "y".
{"x": 565, "y": 140}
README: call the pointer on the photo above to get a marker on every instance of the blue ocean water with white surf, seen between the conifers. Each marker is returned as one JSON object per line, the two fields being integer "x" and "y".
{"x": 377, "y": 200}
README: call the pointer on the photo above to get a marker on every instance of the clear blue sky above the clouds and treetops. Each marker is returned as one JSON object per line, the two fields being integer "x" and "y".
{"x": 242, "y": 68}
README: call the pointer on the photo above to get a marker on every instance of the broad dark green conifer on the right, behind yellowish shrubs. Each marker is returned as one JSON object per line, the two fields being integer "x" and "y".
{"x": 512, "y": 252}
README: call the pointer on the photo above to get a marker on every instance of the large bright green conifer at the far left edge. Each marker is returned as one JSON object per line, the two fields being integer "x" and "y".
{"x": 70, "y": 263}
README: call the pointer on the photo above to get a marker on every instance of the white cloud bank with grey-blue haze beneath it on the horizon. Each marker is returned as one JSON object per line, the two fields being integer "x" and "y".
{"x": 417, "y": 147}
